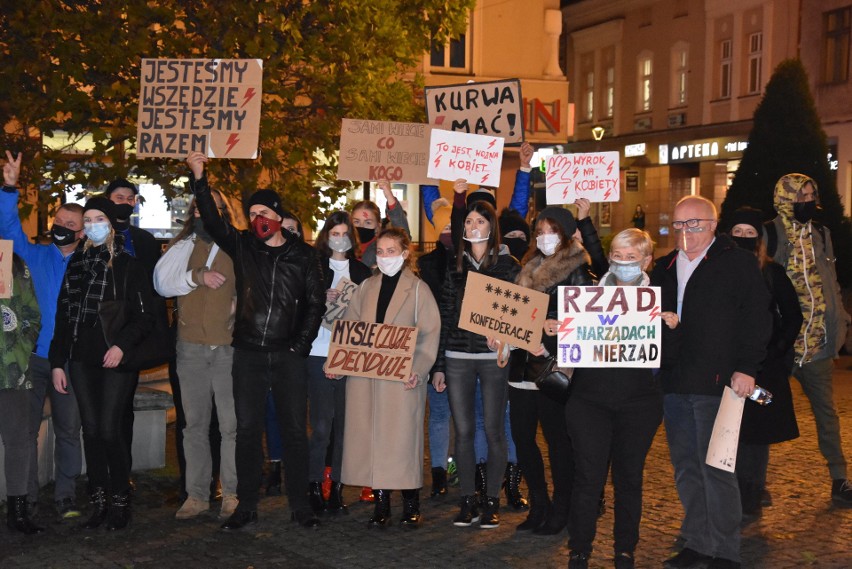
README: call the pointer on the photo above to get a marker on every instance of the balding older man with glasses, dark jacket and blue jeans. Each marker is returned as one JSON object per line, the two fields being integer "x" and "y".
{"x": 717, "y": 294}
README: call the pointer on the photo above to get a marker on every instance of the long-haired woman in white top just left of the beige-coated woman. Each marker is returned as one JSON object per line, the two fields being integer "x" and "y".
{"x": 342, "y": 271}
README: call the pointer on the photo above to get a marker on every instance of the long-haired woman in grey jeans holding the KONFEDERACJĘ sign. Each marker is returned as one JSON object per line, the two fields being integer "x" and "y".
{"x": 464, "y": 355}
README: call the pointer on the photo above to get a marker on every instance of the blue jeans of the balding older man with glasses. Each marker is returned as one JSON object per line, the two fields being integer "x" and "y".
{"x": 710, "y": 496}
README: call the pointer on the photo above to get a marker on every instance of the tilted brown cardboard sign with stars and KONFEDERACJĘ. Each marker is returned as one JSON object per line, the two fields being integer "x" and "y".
{"x": 498, "y": 309}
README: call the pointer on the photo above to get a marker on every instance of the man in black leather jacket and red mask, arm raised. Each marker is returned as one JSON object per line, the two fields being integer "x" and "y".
{"x": 280, "y": 300}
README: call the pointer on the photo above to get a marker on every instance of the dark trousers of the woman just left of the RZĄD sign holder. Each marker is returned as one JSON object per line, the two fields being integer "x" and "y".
{"x": 527, "y": 408}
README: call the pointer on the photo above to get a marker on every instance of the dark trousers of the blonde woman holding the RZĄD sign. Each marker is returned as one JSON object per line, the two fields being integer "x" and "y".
{"x": 624, "y": 431}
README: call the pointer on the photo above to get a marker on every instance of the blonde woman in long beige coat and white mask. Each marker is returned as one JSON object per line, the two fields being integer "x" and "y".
{"x": 383, "y": 434}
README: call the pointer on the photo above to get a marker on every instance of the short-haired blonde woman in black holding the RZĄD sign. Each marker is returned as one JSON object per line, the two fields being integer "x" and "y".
{"x": 612, "y": 413}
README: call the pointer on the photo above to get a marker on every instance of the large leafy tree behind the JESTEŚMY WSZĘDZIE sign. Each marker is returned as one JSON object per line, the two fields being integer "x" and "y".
{"x": 73, "y": 66}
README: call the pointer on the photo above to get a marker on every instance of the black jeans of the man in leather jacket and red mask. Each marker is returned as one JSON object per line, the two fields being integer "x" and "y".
{"x": 285, "y": 373}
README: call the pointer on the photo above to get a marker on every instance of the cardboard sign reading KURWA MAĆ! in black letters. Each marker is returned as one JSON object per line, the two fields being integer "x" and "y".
{"x": 490, "y": 108}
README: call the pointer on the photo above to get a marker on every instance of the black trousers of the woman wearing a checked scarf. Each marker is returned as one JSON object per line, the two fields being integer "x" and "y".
{"x": 104, "y": 397}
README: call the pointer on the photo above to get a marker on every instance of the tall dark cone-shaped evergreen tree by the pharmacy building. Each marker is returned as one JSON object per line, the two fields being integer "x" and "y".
{"x": 787, "y": 137}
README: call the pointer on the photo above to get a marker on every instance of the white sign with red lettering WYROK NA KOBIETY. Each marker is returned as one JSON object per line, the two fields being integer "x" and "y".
{"x": 592, "y": 175}
